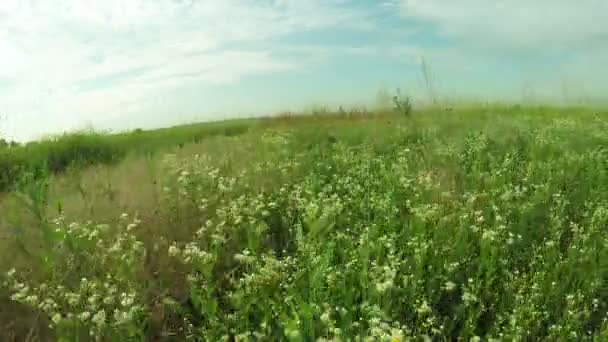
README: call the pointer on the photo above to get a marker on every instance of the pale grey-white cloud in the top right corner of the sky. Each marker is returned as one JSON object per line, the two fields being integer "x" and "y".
{"x": 520, "y": 24}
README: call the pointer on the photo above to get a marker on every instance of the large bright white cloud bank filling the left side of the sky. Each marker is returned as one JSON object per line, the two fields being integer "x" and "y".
{"x": 69, "y": 61}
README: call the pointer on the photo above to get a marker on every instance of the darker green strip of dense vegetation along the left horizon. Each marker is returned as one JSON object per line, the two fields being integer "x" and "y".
{"x": 83, "y": 149}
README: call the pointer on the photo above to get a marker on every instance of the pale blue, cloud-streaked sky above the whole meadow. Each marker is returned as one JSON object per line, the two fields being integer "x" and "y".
{"x": 122, "y": 64}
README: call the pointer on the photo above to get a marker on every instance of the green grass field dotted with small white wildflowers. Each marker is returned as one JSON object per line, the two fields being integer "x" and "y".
{"x": 482, "y": 223}
